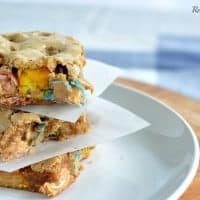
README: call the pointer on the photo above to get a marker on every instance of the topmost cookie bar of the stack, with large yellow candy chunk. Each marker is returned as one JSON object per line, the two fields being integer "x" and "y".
{"x": 40, "y": 68}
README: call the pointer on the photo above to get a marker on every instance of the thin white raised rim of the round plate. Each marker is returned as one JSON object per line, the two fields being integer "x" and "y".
{"x": 195, "y": 164}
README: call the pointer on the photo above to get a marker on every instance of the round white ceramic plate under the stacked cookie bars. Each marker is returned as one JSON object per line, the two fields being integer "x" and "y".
{"x": 157, "y": 163}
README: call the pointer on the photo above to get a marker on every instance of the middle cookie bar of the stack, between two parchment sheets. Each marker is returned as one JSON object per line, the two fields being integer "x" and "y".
{"x": 20, "y": 131}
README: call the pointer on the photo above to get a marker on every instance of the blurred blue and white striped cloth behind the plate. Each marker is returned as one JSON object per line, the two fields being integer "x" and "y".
{"x": 175, "y": 64}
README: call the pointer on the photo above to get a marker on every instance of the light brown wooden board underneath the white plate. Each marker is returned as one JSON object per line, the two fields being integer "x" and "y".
{"x": 187, "y": 107}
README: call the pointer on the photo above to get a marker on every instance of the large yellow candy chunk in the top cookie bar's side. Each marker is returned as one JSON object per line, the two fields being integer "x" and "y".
{"x": 33, "y": 81}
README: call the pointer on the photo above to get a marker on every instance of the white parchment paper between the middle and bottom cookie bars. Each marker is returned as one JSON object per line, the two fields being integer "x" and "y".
{"x": 108, "y": 121}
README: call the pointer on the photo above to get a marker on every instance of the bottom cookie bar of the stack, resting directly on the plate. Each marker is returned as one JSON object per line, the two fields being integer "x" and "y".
{"x": 49, "y": 177}
